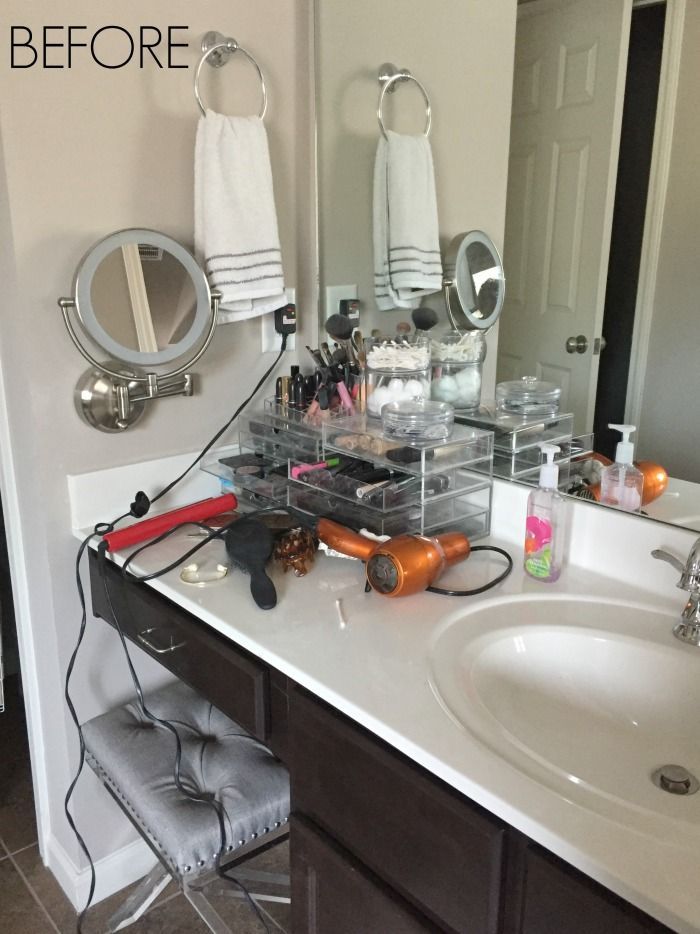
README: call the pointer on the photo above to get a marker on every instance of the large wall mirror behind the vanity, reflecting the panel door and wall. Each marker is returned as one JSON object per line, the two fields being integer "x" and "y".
{"x": 587, "y": 254}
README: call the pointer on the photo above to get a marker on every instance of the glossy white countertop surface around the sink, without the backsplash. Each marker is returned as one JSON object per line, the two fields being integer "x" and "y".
{"x": 375, "y": 670}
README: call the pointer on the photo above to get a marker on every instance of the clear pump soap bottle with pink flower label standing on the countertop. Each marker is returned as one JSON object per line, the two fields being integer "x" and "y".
{"x": 544, "y": 527}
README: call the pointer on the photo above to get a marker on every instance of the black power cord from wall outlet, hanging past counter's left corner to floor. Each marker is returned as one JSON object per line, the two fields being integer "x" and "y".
{"x": 138, "y": 509}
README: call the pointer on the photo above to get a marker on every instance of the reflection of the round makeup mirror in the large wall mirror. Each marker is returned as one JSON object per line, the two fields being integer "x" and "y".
{"x": 474, "y": 283}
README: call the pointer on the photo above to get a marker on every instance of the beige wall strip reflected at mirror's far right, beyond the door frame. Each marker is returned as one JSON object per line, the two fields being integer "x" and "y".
{"x": 672, "y": 384}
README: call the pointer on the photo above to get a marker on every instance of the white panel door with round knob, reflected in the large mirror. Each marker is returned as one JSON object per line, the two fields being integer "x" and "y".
{"x": 570, "y": 63}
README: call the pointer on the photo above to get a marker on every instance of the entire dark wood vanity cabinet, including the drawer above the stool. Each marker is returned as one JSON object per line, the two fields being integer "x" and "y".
{"x": 378, "y": 844}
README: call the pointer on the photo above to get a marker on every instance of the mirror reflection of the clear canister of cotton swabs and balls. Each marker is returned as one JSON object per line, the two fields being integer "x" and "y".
{"x": 457, "y": 363}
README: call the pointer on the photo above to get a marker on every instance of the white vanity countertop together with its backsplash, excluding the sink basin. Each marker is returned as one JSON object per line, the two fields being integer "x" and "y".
{"x": 376, "y": 668}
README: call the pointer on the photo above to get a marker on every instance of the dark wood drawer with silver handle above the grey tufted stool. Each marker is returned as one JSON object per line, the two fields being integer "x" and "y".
{"x": 228, "y": 676}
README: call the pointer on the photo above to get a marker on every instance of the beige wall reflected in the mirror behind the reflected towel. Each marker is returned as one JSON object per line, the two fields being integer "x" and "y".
{"x": 463, "y": 53}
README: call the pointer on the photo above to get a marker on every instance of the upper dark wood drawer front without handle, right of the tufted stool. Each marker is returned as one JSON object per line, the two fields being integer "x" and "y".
{"x": 438, "y": 850}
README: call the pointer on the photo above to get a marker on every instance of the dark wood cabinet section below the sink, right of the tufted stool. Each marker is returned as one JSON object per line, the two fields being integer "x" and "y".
{"x": 381, "y": 846}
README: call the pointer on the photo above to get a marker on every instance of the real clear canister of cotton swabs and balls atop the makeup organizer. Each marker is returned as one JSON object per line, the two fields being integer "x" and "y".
{"x": 395, "y": 371}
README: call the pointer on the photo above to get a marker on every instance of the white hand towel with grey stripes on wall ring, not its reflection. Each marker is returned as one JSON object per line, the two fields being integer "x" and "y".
{"x": 235, "y": 223}
